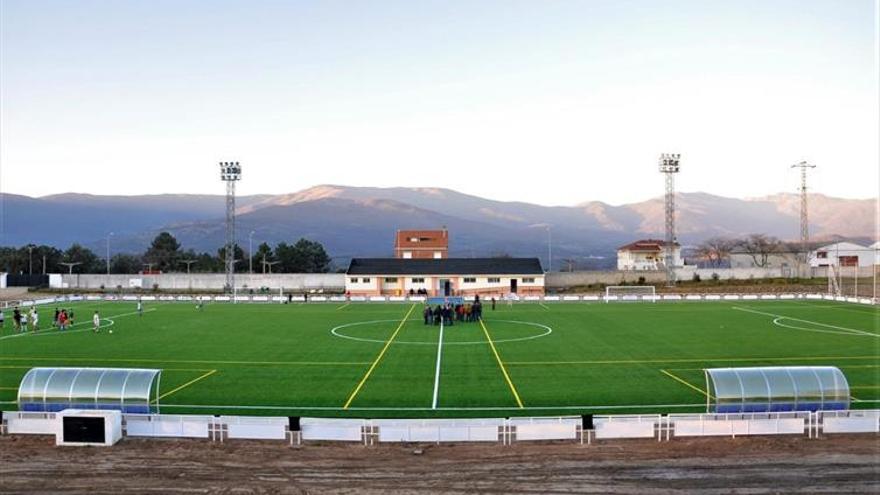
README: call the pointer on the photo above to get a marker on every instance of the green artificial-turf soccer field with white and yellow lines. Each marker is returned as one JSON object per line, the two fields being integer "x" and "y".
{"x": 380, "y": 360}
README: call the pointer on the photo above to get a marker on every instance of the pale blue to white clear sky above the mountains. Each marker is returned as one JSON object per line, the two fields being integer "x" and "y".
{"x": 551, "y": 102}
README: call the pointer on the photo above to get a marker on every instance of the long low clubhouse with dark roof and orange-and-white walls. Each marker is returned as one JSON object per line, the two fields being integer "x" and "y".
{"x": 486, "y": 277}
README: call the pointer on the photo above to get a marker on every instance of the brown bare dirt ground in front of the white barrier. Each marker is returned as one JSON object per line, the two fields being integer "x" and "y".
{"x": 842, "y": 464}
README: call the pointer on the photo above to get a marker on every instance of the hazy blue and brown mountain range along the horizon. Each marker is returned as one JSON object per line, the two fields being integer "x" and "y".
{"x": 361, "y": 221}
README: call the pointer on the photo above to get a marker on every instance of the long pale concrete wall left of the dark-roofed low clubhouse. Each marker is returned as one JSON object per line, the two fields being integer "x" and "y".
{"x": 211, "y": 281}
